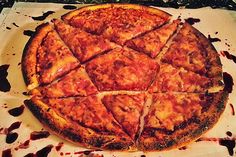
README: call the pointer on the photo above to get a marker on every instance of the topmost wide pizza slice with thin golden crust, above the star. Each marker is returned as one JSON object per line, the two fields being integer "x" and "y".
{"x": 107, "y": 19}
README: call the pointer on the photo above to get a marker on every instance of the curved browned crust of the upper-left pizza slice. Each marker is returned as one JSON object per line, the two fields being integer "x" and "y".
{"x": 29, "y": 58}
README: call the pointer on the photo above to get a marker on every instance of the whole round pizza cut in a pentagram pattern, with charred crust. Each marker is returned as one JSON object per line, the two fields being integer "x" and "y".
{"x": 123, "y": 77}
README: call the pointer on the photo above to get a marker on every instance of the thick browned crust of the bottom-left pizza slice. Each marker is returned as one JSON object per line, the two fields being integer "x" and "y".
{"x": 74, "y": 132}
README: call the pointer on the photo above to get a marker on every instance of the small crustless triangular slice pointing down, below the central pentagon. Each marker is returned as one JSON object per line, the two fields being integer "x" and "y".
{"x": 127, "y": 110}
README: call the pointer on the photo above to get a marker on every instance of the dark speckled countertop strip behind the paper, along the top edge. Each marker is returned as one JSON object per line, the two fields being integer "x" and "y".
{"x": 226, "y": 4}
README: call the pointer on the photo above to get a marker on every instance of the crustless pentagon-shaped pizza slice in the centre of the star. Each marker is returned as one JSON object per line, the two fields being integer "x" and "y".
{"x": 122, "y": 69}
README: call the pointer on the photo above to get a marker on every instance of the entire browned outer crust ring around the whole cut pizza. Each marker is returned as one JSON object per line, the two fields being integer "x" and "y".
{"x": 89, "y": 138}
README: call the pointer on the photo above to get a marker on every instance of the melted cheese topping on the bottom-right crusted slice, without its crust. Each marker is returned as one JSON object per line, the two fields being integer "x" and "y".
{"x": 170, "y": 110}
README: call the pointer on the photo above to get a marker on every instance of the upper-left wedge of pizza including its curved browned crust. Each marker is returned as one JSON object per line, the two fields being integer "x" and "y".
{"x": 46, "y": 57}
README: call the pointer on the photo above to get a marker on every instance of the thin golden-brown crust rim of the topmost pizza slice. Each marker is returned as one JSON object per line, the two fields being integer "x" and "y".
{"x": 155, "y": 11}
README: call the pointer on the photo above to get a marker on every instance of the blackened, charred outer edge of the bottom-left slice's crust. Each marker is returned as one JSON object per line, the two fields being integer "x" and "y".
{"x": 89, "y": 139}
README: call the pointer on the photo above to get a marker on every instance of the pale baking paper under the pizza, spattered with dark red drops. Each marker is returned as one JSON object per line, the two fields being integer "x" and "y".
{"x": 218, "y": 23}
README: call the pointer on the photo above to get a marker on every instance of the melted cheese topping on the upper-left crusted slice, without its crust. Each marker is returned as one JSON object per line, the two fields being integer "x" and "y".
{"x": 54, "y": 58}
